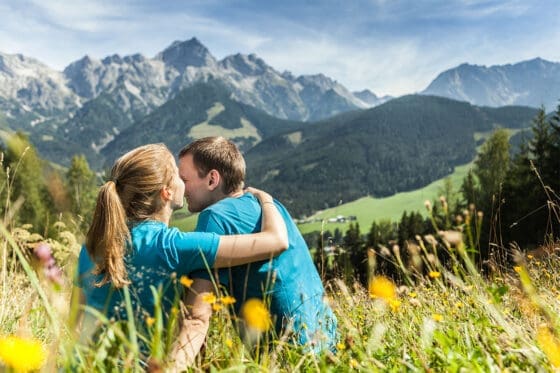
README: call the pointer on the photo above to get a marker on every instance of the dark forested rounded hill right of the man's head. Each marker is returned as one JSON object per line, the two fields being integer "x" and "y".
{"x": 399, "y": 146}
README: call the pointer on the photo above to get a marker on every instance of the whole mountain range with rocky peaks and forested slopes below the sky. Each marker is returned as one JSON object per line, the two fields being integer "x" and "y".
{"x": 307, "y": 139}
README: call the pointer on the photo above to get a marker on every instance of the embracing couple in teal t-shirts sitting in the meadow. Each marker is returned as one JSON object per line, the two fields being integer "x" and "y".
{"x": 249, "y": 239}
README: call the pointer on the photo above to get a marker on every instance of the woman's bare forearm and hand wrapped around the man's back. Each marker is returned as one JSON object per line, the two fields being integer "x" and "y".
{"x": 246, "y": 248}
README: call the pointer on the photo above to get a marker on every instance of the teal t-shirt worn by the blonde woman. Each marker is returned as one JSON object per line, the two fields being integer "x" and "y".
{"x": 158, "y": 256}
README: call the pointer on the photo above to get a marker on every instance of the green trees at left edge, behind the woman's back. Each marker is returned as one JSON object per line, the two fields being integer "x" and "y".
{"x": 36, "y": 192}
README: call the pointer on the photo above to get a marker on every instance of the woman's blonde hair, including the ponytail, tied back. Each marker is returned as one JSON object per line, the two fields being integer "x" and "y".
{"x": 131, "y": 195}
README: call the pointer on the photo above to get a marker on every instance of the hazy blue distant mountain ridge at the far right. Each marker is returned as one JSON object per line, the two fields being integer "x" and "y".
{"x": 530, "y": 83}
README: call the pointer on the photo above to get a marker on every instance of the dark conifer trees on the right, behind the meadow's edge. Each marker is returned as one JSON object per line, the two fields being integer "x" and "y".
{"x": 506, "y": 203}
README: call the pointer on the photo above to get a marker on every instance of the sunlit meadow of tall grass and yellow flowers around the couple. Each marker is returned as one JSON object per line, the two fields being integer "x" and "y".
{"x": 449, "y": 318}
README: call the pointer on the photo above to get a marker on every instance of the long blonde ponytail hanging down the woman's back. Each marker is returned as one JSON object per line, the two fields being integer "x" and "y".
{"x": 108, "y": 237}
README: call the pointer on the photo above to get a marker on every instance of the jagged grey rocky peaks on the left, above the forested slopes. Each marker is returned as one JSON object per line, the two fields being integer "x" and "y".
{"x": 139, "y": 84}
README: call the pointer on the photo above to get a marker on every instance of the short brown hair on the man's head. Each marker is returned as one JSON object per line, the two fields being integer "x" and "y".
{"x": 220, "y": 154}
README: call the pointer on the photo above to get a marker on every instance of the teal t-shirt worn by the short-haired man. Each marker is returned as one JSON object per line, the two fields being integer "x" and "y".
{"x": 290, "y": 281}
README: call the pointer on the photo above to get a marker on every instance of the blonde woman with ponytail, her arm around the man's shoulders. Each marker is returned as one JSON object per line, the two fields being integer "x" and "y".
{"x": 130, "y": 245}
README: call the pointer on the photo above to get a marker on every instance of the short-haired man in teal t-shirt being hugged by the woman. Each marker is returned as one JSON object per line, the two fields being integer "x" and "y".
{"x": 213, "y": 170}
